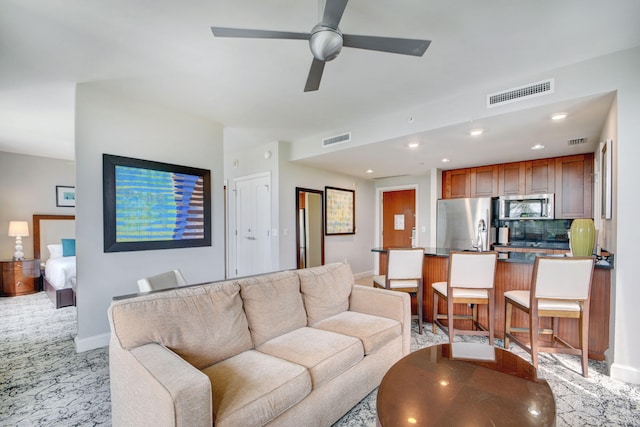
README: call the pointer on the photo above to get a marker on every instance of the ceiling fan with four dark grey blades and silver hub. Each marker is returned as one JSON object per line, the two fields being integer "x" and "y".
{"x": 326, "y": 41}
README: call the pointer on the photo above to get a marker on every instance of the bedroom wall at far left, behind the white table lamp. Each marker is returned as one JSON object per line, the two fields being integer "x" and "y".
{"x": 28, "y": 186}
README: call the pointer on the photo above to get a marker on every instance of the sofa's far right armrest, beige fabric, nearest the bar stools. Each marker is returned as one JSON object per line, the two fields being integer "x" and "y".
{"x": 382, "y": 302}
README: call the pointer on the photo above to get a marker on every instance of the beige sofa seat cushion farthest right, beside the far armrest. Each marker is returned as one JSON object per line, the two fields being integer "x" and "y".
{"x": 374, "y": 331}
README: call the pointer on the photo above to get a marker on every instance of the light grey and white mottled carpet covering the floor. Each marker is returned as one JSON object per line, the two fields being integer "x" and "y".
{"x": 44, "y": 382}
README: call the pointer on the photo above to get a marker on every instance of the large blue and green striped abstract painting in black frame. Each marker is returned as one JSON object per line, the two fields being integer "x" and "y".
{"x": 152, "y": 205}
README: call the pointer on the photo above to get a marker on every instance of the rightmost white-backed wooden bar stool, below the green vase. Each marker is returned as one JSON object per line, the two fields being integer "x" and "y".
{"x": 560, "y": 287}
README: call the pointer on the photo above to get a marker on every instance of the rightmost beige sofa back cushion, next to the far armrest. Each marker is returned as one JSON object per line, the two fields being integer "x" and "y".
{"x": 325, "y": 290}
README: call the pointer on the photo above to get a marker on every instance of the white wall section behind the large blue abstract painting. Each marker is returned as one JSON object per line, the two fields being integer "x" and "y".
{"x": 112, "y": 124}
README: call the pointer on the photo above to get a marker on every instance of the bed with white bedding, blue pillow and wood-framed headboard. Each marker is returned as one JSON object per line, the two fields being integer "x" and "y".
{"x": 59, "y": 277}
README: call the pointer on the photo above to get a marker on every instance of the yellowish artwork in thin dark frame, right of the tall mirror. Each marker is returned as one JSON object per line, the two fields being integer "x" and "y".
{"x": 339, "y": 211}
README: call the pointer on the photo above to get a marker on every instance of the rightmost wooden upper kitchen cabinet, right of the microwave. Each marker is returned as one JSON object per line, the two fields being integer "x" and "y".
{"x": 574, "y": 186}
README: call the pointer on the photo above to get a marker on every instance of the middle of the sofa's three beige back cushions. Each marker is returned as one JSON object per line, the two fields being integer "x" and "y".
{"x": 273, "y": 305}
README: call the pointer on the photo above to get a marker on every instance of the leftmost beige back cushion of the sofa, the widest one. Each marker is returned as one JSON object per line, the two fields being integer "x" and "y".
{"x": 203, "y": 324}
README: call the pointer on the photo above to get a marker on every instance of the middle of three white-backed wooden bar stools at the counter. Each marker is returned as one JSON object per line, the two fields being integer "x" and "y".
{"x": 470, "y": 281}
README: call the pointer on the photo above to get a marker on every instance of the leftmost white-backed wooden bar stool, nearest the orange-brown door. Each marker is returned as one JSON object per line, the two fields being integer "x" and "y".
{"x": 404, "y": 274}
